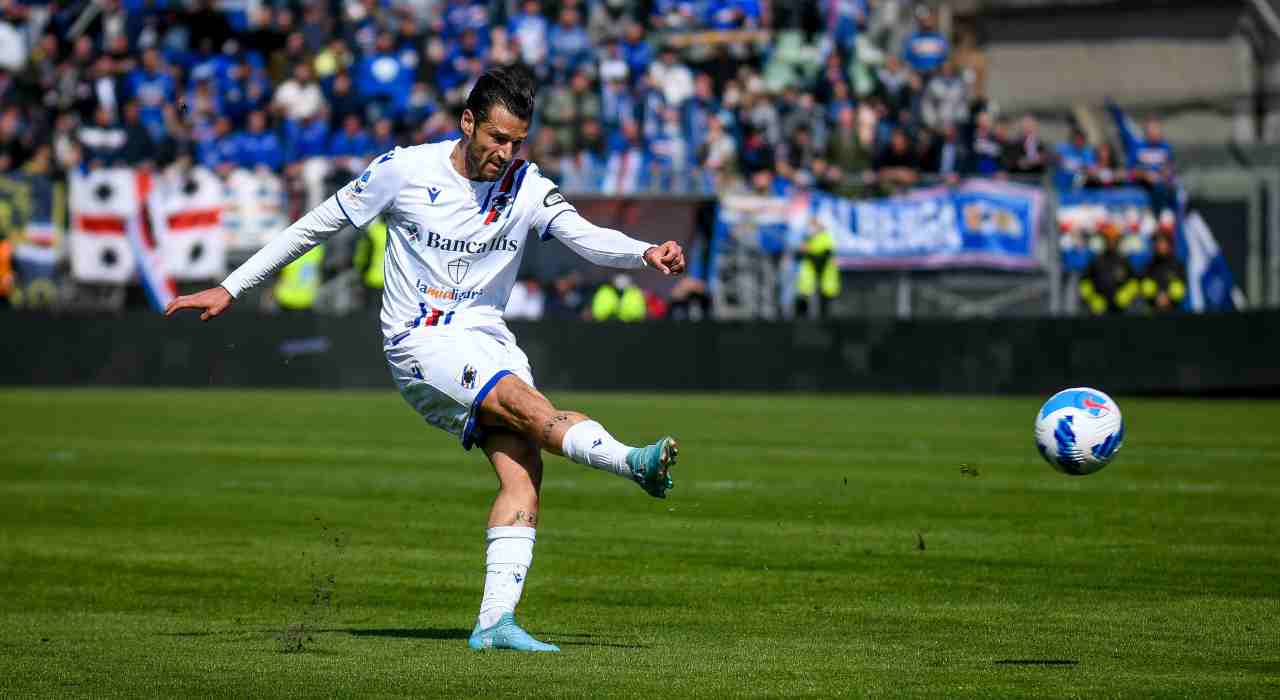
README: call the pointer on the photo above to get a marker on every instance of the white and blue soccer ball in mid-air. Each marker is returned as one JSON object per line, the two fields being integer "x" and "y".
{"x": 1080, "y": 431}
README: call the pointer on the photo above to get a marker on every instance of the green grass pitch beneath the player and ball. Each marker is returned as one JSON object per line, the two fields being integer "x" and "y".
{"x": 182, "y": 543}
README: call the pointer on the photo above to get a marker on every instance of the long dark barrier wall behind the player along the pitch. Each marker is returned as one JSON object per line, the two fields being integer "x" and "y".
{"x": 1223, "y": 354}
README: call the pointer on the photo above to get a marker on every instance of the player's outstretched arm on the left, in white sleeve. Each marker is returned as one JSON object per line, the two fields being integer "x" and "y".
{"x": 356, "y": 204}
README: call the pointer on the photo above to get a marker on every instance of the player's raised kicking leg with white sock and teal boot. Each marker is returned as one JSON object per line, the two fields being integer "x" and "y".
{"x": 515, "y": 405}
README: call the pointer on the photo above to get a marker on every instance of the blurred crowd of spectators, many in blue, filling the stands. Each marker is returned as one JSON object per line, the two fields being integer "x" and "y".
{"x": 858, "y": 98}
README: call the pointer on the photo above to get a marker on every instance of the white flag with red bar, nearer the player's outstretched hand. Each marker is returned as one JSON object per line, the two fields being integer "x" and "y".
{"x": 190, "y": 227}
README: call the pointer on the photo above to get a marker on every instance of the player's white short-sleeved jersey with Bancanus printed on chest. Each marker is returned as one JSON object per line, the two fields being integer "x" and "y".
{"x": 454, "y": 245}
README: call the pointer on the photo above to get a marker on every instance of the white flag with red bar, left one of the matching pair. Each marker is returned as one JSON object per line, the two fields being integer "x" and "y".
{"x": 102, "y": 205}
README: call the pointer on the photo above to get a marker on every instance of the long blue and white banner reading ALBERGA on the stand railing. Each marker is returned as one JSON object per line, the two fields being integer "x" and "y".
{"x": 976, "y": 225}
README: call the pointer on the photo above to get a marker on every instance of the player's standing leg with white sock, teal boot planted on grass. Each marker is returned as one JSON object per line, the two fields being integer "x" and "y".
{"x": 510, "y": 543}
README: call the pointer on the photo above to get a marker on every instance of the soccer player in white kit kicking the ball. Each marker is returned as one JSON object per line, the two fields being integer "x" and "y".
{"x": 458, "y": 216}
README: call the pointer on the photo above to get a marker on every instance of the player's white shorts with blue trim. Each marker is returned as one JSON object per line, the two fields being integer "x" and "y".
{"x": 446, "y": 373}
